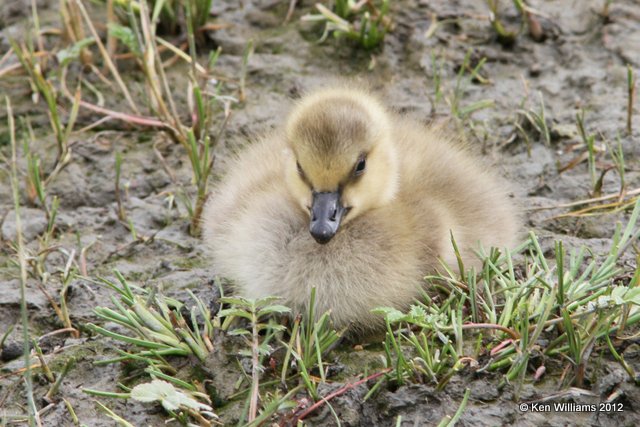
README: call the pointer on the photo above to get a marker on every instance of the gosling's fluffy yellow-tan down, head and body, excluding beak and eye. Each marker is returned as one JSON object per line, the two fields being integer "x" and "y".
{"x": 418, "y": 186}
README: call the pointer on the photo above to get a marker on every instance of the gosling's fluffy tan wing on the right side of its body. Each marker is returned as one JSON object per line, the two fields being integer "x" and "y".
{"x": 458, "y": 192}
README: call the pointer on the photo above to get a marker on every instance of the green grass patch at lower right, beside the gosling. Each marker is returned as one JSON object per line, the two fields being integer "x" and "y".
{"x": 561, "y": 312}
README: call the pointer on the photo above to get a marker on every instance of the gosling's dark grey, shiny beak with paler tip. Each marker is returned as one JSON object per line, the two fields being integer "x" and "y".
{"x": 326, "y": 213}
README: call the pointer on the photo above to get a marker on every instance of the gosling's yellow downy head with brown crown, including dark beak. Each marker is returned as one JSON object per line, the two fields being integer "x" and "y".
{"x": 343, "y": 161}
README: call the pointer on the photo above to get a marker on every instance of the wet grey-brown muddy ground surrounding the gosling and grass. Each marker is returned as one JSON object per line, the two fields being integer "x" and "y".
{"x": 581, "y": 63}
